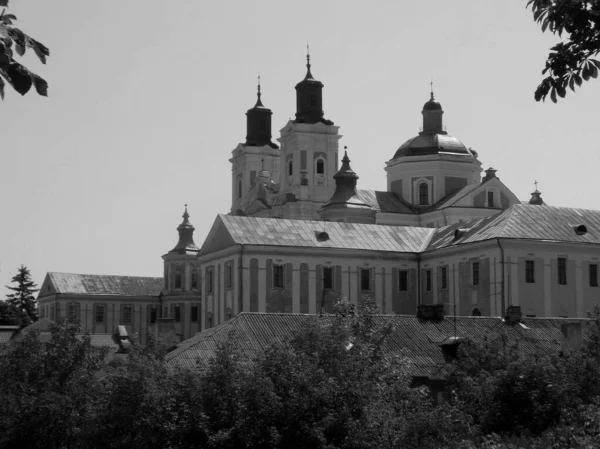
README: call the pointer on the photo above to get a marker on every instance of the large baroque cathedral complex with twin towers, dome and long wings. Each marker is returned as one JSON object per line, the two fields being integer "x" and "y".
{"x": 301, "y": 234}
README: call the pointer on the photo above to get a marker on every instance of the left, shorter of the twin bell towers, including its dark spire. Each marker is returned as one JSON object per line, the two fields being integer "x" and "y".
{"x": 256, "y": 153}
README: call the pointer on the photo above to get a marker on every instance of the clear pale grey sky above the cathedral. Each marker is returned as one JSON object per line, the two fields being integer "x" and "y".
{"x": 147, "y": 100}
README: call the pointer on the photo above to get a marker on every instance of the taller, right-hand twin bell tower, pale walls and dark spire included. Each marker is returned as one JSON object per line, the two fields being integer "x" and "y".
{"x": 309, "y": 153}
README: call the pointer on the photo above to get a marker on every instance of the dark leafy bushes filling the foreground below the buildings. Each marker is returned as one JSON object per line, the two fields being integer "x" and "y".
{"x": 330, "y": 386}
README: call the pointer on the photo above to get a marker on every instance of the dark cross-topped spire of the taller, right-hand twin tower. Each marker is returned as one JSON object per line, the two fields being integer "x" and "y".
{"x": 309, "y": 98}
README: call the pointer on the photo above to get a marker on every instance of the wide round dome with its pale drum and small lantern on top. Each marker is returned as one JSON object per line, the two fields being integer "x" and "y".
{"x": 433, "y": 164}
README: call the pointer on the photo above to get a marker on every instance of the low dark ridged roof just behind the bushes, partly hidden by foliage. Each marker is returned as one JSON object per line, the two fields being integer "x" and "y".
{"x": 420, "y": 340}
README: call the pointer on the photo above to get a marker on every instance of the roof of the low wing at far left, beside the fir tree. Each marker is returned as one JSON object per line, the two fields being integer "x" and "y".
{"x": 96, "y": 284}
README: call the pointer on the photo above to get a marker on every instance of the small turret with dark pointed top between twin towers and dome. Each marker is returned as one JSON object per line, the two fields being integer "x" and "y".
{"x": 345, "y": 204}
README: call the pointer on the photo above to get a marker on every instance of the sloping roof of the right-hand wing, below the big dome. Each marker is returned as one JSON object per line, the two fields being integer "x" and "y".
{"x": 525, "y": 222}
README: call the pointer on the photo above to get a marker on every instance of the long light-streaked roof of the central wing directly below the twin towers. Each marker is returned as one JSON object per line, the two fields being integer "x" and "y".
{"x": 303, "y": 233}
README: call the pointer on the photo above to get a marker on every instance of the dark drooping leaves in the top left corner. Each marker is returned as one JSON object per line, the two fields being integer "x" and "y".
{"x": 16, "y": 74}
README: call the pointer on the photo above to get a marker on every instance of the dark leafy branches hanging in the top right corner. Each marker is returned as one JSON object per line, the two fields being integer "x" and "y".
{"x": 571, "y": 61}
